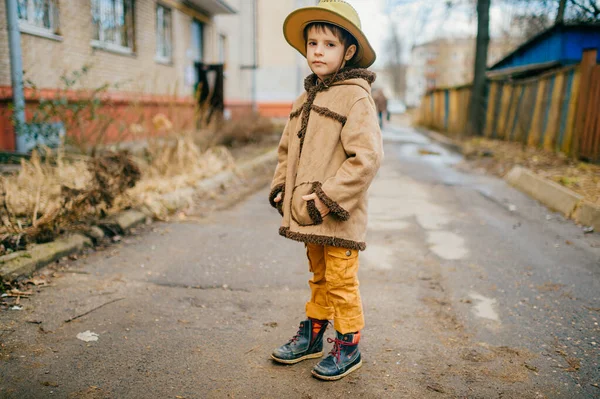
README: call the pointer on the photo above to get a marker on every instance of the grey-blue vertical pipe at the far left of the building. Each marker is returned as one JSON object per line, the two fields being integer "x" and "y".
{"x": 16, "y": 72}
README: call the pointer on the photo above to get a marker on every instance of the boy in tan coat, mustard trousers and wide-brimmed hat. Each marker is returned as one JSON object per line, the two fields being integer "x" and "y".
{"x": 329, "y": 153}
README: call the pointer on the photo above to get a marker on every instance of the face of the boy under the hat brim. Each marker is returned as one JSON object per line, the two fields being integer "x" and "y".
{"x": 324, "y": 52}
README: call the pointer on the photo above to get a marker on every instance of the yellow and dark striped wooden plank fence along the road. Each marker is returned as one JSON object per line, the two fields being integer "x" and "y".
{"x": 548, "y": 111}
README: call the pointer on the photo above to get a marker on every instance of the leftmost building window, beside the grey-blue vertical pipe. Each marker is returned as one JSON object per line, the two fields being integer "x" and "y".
{"x": 38, "y": 17}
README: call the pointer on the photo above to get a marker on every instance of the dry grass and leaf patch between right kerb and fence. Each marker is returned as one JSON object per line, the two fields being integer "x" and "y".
{"x": 498, "y": 157}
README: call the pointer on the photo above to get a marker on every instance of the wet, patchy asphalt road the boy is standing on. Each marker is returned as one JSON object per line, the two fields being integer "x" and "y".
{"x": 470, "y": 288}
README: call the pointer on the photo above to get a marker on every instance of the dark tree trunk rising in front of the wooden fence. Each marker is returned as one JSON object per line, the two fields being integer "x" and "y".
{"x": 477, "y": 105}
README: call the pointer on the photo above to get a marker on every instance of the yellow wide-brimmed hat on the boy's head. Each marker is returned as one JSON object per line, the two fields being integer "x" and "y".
{"x": 335, "y": 12}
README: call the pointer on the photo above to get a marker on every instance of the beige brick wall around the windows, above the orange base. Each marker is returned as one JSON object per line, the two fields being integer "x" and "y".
{"x": 44, "y": 60}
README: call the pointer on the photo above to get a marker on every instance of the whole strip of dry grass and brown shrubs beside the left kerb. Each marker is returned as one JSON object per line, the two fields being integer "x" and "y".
{"x": 59, "y": 192}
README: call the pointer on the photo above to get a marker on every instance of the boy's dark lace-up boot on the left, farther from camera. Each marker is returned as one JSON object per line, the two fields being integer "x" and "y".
{"x": 306, "y": 344}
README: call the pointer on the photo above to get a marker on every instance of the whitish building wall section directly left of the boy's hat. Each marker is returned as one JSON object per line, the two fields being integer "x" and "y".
{"x": 280, "y": 69}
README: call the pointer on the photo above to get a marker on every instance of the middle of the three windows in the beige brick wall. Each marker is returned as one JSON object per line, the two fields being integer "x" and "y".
{"x": 112, "y": 22}
